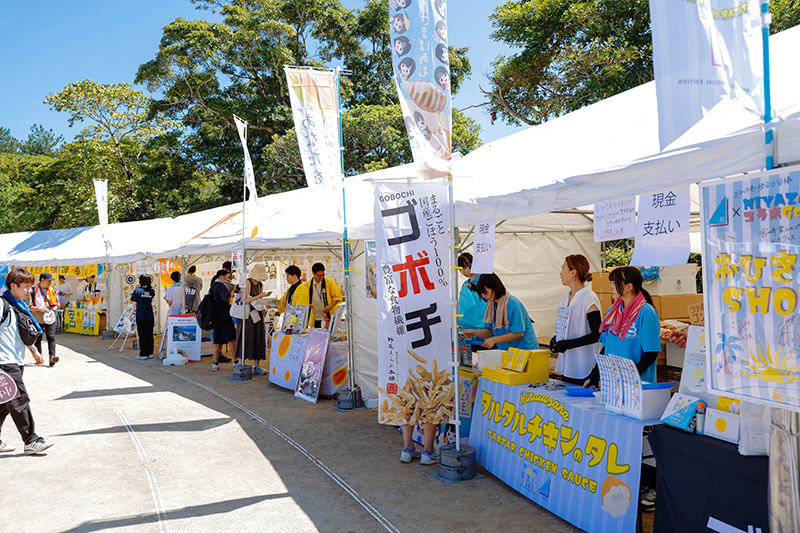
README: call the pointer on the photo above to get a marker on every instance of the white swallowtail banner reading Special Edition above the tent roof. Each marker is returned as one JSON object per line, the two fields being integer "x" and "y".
{"x": 702, "y": 55}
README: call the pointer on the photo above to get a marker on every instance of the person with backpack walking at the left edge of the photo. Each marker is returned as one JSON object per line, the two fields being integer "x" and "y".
{"x": 19, "y": 330}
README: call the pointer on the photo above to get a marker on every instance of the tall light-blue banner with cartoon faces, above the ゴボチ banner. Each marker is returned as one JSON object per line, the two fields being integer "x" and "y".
{"x": 421, "y": 63}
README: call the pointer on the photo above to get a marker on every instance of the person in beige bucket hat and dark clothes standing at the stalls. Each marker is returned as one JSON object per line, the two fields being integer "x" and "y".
{"x": 255, "y": 334}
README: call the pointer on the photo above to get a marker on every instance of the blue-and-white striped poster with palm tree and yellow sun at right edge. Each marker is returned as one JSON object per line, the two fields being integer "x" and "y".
{"x": 751, "y": 279}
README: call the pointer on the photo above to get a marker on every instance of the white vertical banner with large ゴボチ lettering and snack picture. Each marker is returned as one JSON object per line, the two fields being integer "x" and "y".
{"x": 414, "y": 347}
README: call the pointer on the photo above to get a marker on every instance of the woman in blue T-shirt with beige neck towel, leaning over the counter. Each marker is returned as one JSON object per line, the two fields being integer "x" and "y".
{"x": 506, "y": 322}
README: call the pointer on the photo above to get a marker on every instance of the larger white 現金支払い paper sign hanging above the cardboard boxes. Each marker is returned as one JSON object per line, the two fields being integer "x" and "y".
{"x": 662, "y": 229}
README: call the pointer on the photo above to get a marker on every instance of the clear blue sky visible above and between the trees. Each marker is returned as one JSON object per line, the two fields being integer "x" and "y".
{"x": 48, "y": 44}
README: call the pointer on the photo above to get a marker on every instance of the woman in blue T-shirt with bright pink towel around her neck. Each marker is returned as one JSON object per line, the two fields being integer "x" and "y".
{"x": 631, "y": 326}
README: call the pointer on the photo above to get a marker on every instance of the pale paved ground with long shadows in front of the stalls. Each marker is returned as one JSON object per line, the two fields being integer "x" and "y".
{"x": 142, "y": 447}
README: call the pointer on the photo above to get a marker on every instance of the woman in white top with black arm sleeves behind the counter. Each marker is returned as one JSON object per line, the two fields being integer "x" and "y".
{"x": 577, "y": 324}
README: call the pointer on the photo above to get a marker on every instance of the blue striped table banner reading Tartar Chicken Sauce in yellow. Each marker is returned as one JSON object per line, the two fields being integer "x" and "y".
{"x": 562, "y": 453}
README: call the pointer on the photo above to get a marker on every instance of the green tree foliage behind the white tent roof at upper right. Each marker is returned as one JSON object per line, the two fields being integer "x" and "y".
{"x": 572, "y": 53}
